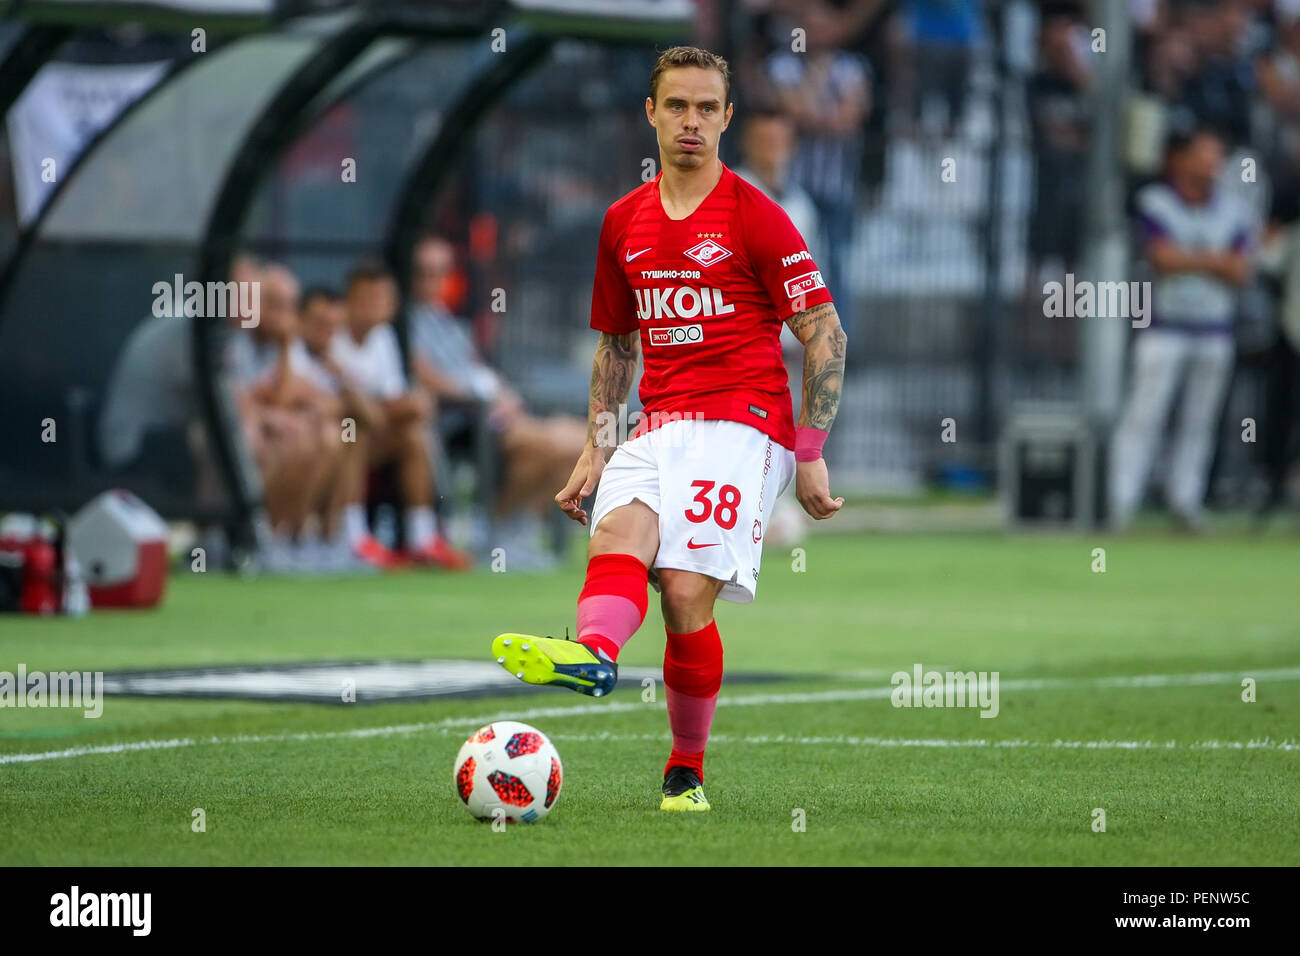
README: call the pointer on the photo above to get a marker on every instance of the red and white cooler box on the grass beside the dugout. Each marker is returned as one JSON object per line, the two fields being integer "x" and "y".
{"x": 122, "y": 546}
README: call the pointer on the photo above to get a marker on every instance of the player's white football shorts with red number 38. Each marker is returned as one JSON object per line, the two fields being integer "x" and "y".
{"x": 713, "y": 485}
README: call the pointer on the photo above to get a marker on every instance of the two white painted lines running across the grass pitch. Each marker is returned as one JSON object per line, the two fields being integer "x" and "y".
{"x": 449, "y": 724}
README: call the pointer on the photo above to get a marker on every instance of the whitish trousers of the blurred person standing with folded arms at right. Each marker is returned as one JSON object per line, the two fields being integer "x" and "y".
{"x": 1168, "y": 365}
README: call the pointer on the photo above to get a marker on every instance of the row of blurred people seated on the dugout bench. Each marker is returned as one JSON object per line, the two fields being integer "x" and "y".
{"x": 331, "y": 410}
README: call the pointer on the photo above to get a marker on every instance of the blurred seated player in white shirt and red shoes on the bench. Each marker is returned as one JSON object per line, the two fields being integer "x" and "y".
{"x": 400, "y": 423}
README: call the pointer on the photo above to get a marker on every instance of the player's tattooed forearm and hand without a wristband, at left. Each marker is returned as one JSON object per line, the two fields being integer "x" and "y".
{"x": 613, "y": 371}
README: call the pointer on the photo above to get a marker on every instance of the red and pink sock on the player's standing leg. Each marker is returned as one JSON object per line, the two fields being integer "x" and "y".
{"x": 692, "y": 674}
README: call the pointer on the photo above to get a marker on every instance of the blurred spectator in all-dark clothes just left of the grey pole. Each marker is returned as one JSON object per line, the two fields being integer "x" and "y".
{"x": 1059, "y": 115}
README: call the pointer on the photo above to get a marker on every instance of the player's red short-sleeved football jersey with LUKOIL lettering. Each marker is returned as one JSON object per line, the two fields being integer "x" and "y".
{"x": 709, "y": 295}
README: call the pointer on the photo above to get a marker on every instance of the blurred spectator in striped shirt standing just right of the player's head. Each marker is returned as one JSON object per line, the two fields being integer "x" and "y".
{"x": 827, "y": 94}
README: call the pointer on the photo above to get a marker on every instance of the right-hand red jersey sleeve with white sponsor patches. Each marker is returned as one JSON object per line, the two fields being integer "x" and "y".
{"x": 781, "y": 258}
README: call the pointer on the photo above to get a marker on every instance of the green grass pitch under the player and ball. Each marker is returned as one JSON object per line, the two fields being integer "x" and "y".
{"x": 1121, "y": 691}
